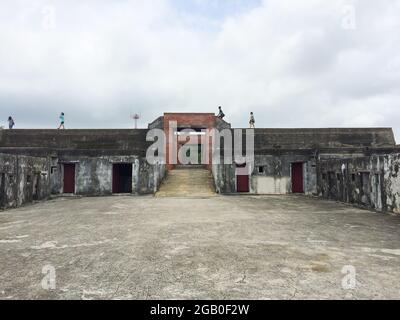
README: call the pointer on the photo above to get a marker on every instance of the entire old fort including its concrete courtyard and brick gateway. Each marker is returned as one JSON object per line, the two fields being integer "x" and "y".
{"x": 262, "y": 226}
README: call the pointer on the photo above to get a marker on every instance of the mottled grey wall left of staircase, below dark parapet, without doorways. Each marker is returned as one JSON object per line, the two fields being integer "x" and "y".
{"x": 24, "y": 179}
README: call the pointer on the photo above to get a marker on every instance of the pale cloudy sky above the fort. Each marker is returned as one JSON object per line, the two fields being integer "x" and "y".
{"x": 303, "y": 63}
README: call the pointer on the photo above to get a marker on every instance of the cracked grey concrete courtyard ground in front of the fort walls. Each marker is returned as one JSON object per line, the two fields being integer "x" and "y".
{"x": 225, "y": 247}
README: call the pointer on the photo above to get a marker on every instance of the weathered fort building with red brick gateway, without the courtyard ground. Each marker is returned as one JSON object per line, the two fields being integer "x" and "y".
{"x": 354, "y": 165}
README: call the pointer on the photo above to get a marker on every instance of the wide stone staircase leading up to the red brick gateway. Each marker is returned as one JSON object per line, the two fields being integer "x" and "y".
{"x": 187, "y": 181}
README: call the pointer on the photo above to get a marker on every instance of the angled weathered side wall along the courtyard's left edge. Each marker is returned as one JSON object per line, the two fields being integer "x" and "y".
{"x": 23, "y": 179}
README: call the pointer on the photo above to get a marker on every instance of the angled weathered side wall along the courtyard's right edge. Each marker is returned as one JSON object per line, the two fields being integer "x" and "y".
{"x": 371, "y": 182}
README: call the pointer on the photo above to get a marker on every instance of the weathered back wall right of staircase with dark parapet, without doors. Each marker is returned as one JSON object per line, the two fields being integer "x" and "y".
{"x": 276, "y": 149}
